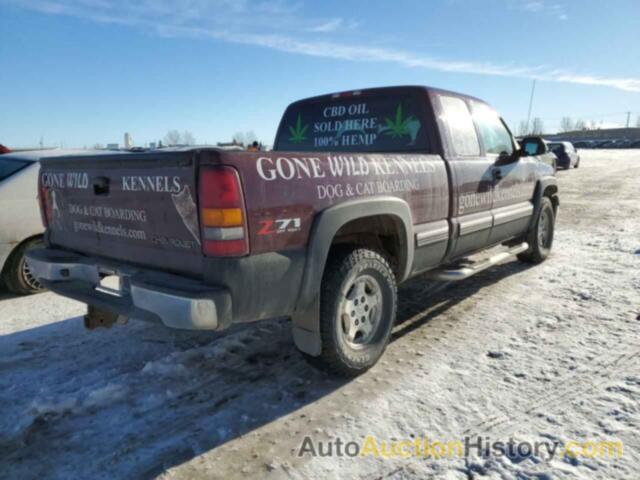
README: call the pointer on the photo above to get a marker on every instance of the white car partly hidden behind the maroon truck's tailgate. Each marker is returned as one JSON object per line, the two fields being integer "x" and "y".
{"x": 20, "y": 223}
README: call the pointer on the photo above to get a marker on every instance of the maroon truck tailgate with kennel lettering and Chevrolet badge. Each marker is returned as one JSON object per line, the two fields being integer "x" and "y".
{"x": 138, "y": 208}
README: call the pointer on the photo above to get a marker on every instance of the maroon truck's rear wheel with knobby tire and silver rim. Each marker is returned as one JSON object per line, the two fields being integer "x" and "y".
{"x": 358, "y": 300}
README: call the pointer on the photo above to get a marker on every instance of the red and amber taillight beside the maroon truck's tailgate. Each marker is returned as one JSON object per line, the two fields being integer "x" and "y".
{"x": 222, "y": 213}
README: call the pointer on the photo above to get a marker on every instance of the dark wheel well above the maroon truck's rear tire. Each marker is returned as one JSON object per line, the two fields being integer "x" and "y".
{"x": 377, "y": 232}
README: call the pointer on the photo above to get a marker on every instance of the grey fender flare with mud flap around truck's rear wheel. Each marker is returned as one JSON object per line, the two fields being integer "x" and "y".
{"x": 306, "y": 315}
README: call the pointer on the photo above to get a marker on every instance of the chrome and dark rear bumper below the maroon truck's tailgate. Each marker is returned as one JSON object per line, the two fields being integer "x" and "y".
{"x": 173, "y": 300}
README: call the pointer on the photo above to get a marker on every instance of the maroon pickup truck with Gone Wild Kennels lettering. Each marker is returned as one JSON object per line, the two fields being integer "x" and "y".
{"x": 362, "y": 191}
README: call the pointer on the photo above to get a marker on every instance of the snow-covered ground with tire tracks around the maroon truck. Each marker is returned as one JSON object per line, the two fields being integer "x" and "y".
{"x": 550, "y": 352}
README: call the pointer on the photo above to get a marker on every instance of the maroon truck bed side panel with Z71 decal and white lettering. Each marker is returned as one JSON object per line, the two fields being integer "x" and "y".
{"x": 284, "y": 191}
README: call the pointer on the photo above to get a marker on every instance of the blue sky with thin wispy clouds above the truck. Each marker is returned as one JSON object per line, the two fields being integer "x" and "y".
{"x": 80, "y": 72}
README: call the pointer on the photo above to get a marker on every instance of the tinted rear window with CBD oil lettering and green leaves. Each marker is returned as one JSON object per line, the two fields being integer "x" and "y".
{"x": 389, "y": 123}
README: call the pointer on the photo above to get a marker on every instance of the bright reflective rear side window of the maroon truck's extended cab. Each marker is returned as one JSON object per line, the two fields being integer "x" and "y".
{"x": 460, "y": 125}
